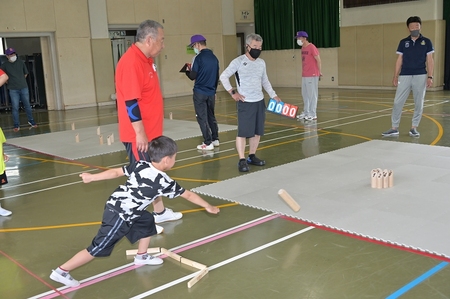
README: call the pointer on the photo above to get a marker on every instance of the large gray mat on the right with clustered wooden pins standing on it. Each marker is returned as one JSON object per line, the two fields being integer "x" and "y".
{"x": 333, "y": 190}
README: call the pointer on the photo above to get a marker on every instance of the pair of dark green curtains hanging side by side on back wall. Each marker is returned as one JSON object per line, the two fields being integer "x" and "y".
{"x": 277, "y": 21}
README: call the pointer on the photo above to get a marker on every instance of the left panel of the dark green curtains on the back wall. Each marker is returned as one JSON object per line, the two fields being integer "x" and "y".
{"x": 273, "y": 21}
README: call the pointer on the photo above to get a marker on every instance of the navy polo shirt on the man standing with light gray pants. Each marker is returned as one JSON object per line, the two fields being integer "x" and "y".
{"x": 414, "y": 55}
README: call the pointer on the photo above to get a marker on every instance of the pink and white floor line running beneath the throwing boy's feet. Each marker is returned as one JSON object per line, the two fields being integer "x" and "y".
{"x": 113, "y": 273}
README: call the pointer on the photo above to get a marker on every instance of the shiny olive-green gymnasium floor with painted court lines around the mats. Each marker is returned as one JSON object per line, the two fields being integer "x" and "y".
{"x": 250, "y": 252}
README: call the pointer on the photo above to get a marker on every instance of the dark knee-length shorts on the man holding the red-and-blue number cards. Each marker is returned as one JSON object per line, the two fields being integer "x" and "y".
{"x": 251, "y": 118}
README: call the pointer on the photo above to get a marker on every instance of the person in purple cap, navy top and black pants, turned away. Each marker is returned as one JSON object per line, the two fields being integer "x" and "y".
{"x": 205, "y": 71}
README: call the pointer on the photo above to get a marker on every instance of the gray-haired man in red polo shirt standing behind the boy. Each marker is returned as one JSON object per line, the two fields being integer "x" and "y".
{"x": 140, "y": 103}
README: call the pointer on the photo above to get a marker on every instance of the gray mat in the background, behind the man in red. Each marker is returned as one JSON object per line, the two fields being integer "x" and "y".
{"x": 63, "y": 144}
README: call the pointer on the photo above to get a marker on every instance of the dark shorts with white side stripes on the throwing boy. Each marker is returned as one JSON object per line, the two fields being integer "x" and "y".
{"x": 114, "y": 228}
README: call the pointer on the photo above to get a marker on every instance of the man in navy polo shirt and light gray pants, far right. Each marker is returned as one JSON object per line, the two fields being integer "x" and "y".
{"x": 413, "y": 71}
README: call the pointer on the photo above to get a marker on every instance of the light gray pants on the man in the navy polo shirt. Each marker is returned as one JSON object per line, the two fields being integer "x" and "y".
{"x": 418, "y": 85}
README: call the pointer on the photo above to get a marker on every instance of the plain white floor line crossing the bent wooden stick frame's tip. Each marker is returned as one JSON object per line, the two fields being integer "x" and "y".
{"x": 223, "y": 263}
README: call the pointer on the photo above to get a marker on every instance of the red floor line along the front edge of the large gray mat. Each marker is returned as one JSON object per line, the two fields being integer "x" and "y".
{"x": 416, "y": 251}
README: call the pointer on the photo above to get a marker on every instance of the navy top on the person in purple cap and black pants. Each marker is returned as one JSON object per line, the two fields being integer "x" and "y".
{"x": 206, "y": 65}
